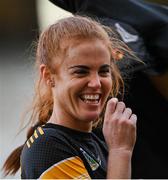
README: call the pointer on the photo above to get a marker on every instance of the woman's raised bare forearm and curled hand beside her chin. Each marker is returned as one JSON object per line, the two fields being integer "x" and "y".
{"x": 119, "y": 130}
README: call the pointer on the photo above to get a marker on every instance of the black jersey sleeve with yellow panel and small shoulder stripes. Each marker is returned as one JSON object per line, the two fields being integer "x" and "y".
{"x": 50, "y": 156}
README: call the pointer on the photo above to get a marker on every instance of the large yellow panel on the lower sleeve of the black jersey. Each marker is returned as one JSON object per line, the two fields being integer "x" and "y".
{"x": 71, "y": 168}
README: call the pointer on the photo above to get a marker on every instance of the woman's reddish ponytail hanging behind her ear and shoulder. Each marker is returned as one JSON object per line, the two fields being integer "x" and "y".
{"x": 41, "y": 109}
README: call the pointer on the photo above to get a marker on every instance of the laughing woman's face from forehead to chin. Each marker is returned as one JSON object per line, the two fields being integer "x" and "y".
{"x": 83, "y": 83}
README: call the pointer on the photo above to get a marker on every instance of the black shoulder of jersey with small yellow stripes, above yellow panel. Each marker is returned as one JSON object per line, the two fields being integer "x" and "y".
{"x": 46, "y": 147}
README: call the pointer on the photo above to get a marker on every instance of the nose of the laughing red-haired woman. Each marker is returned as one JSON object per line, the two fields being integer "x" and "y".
{"x": 94, "y": 81}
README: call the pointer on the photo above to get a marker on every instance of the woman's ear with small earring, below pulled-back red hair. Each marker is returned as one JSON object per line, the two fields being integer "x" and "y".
{"x": 46, "y": 75}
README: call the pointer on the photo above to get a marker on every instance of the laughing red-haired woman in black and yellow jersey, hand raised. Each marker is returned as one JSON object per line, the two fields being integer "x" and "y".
{"x": 76, "y": 58}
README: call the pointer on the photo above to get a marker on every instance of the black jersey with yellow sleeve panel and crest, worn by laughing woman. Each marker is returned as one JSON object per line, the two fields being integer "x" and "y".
{"x": 54, "y": 151}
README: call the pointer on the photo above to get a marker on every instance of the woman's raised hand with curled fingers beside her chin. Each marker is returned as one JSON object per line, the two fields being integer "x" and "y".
{"x": 119, "y": 126}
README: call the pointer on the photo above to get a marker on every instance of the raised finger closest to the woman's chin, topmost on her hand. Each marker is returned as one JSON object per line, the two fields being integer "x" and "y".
{"x": 110, "y": 108}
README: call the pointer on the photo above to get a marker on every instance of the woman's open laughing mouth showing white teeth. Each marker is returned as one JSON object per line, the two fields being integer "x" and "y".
{"x": 90, "y": 98}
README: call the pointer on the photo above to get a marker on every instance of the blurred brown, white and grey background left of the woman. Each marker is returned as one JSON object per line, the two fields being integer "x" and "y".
{"x": 20, "y": 23}
